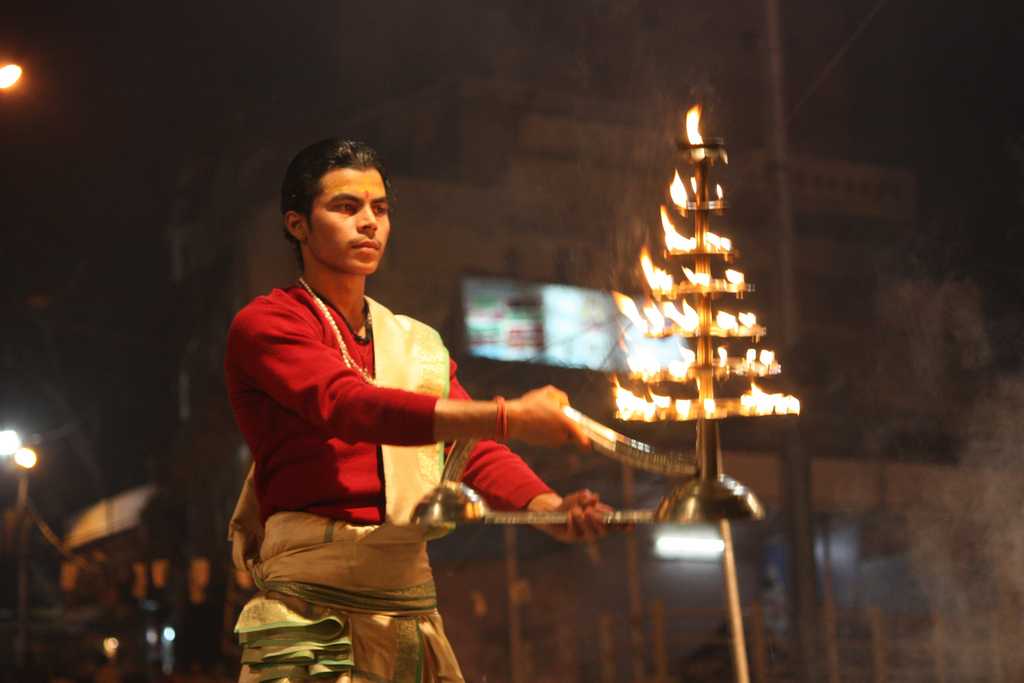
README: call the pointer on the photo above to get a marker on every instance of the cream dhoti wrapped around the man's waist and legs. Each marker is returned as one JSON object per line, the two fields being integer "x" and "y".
{"x": 343, "y": 603}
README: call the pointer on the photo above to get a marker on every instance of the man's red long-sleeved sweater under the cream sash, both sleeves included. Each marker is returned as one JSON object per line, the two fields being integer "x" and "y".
{"x": 314, "y": 426}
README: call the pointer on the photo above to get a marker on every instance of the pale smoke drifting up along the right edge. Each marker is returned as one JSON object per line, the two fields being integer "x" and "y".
{"x": 966, "y": 533}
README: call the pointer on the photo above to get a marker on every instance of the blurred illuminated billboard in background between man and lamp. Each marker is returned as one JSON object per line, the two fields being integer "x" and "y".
{"x": 554, "y": 325}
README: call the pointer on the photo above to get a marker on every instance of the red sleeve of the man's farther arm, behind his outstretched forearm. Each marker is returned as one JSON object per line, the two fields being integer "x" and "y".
{"x": 497, "y": 474}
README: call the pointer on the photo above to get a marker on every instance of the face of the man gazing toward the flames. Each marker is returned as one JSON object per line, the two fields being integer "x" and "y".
{"x": 350, "y": 223}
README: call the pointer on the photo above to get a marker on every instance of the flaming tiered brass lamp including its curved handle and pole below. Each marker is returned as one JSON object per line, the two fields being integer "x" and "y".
{"x": 681, "y": 390}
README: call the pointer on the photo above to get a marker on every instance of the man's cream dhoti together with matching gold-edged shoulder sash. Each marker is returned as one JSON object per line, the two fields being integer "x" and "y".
{"x": 344, "y": 603}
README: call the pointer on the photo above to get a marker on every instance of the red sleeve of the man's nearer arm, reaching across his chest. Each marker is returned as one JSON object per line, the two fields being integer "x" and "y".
{"x": 278, "y": 352}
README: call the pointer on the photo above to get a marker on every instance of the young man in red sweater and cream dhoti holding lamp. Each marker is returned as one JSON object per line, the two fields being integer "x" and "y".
{"x": 347, "y": 408}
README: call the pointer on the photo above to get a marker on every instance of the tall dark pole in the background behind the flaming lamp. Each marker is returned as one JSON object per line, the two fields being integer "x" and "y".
{"x": 797, "y": 478}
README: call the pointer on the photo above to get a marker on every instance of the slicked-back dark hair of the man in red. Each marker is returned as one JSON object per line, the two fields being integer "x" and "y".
{"x": 303, "y": 180}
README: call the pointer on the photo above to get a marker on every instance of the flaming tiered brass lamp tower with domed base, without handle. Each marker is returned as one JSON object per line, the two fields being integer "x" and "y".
{"x": 712, "y": 496}
